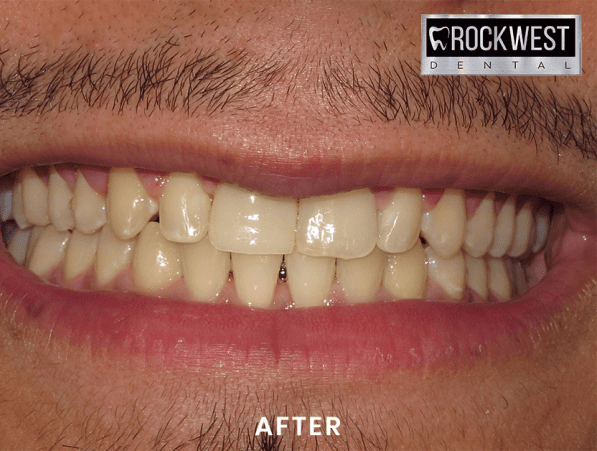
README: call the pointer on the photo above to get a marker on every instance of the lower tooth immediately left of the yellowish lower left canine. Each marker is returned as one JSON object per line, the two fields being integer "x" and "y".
{"x": 113, "y": 256}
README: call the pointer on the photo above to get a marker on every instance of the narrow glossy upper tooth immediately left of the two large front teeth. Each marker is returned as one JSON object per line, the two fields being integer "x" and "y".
{"x": 184, "y": 209}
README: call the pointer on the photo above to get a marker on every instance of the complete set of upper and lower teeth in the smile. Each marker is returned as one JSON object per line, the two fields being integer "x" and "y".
{"x": 374, "y": 245}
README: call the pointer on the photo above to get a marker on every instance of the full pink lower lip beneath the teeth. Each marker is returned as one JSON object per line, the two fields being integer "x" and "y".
{"x": 337, "y": 339}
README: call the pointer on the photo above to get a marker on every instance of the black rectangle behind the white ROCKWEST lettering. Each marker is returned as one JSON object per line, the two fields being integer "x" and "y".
{"x": 525, "y": 25}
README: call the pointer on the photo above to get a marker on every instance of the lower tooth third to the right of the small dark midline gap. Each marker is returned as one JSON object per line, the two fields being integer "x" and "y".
{"x": 405, "y": 274}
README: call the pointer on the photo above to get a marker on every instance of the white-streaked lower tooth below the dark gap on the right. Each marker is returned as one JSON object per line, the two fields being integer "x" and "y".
{"x": 449, "y": 273}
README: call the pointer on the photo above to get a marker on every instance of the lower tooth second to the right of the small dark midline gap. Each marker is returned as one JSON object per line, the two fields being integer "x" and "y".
{"x": 360, "y": 278}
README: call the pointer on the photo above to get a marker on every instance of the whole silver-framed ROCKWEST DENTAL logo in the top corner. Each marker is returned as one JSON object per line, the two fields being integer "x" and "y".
{"x": 500, "y": 45}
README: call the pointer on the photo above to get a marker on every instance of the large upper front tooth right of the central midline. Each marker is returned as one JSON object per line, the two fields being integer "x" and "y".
{"x": 340, "y": 225}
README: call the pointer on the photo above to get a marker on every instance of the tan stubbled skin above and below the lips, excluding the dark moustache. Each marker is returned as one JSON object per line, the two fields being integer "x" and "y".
{"x": 56, "y": 394}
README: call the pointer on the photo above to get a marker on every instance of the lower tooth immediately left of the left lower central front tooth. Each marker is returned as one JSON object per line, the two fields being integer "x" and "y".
{"x": 205, "y": 268}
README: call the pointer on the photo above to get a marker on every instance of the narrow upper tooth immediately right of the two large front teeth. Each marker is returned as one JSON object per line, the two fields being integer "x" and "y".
{"x": 399, "y": 223}
